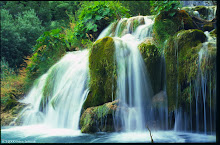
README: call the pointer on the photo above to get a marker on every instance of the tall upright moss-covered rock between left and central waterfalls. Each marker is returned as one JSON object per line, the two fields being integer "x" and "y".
{"x": 102, "y": 70}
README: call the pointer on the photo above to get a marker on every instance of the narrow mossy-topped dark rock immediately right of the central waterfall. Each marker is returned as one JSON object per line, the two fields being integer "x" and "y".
{"x": 153, "y": 60}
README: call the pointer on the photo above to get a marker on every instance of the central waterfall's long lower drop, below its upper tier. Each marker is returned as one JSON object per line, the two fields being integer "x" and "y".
{"x": 132, "y": 85}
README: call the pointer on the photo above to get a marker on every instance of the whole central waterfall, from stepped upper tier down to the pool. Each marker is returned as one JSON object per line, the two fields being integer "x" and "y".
{"x": 133, "y": 84}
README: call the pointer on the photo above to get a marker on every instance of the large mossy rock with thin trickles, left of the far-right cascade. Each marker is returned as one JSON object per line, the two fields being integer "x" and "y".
{"x": 181, "y": 54}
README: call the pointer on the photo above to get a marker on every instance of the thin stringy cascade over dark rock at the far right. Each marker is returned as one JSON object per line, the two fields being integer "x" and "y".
{"x": 202, "y": 90}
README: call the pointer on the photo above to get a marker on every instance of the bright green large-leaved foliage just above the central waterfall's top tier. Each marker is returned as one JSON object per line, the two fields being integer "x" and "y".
{"x": 93, "y": 17}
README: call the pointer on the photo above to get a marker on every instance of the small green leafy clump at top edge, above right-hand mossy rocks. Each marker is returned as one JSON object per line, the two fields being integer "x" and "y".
{"x": 160, "y": 6}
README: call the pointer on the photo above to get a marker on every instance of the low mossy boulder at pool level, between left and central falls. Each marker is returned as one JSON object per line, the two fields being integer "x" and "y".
{"x": 99, "y": 118}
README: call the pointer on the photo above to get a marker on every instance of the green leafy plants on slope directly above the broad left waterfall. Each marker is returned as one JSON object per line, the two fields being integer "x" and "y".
{"x": 50, "y": 47}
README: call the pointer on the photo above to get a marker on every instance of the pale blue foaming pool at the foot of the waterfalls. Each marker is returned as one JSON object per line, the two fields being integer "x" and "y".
{"x": 44, "y": 134}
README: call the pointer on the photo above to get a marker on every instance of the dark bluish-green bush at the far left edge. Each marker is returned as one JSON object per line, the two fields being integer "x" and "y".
{"x": 18, "y": 35}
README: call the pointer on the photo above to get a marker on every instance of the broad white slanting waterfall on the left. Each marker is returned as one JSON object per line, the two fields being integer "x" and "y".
{"x": 57, "y": 96}
